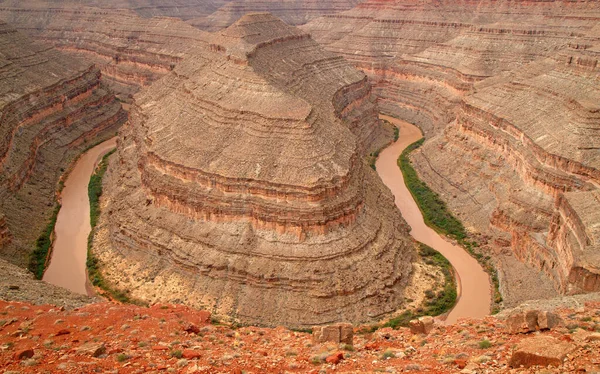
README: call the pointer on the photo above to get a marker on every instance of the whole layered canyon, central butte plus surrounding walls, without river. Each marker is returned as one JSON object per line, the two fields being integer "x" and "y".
{"x": 506, "y": 93}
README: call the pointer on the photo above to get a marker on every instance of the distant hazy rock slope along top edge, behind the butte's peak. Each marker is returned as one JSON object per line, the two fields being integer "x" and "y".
{"x": 292, "y": 12}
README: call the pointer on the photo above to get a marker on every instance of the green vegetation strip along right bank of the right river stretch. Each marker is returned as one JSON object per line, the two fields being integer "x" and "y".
{"x": 437, "y": 216}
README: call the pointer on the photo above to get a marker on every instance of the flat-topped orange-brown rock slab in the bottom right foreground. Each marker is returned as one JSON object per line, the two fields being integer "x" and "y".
{"x": 542, "y": 351}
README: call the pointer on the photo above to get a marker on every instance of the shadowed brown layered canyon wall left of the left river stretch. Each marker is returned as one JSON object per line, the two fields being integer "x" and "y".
{"x": 51, "y": 108}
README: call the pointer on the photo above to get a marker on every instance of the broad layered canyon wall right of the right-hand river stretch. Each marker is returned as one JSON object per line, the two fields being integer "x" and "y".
{"x": 507, "y": 94}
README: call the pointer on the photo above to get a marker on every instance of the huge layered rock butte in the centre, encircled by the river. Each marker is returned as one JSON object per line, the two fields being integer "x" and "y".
{"x": 240, "y": 186}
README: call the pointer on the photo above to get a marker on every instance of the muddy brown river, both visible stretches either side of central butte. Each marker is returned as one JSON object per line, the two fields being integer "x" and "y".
{"x": 67, "y": 267}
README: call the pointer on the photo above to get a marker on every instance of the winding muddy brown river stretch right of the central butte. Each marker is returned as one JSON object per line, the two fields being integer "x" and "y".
{"x": 474, "y": 284}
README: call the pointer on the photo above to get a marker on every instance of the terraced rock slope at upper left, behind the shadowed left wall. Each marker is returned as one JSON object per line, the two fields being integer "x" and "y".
{"x": 131, "y": 51}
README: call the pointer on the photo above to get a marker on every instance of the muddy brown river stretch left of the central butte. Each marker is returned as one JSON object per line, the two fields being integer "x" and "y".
{"x": 67, "y": 267}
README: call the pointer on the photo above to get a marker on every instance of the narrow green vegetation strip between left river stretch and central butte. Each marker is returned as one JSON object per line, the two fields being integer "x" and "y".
{"x": 94, "y": 193}
